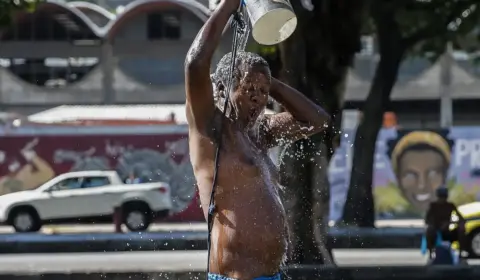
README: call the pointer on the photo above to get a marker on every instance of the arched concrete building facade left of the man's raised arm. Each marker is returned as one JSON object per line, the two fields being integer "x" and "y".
{"x": 81, "y": 53}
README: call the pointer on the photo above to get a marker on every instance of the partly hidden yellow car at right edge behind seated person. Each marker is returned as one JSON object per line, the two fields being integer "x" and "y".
{"x": 471, "y": 213}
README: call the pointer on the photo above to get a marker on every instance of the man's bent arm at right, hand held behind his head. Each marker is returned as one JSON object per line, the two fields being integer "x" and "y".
{"x": 302, "y": 118}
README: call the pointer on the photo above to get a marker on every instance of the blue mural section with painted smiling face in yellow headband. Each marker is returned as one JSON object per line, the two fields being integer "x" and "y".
{"x": 409, "y": 167}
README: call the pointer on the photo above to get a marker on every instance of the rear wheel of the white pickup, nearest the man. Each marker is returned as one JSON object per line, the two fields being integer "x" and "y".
{"x": 137, "y": 216}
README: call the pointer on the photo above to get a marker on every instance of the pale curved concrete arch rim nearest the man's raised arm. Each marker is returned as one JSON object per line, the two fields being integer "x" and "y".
{"x": 145, "y": 6}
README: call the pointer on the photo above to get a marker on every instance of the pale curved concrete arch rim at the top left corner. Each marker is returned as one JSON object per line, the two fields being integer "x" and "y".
{"x": 52, "y": 8}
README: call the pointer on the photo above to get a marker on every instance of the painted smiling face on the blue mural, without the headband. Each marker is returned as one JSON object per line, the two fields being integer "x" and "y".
{"x": 420, "y": 173}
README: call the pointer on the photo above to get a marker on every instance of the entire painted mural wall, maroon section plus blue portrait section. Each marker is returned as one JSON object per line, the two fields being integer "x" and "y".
{"x": 409, "y": 166}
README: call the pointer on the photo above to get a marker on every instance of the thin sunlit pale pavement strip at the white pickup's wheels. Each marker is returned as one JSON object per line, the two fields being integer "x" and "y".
{"x": 170, "y": 227}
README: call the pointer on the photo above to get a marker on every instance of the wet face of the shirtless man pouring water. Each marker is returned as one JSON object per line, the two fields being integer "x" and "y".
{"x": 251, "y": 96}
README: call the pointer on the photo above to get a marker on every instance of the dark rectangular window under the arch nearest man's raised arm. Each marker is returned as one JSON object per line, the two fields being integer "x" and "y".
{"x": 164, "y": 25}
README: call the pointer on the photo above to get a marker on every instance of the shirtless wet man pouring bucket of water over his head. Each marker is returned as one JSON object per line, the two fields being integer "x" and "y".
{"x": 249, "y": 237}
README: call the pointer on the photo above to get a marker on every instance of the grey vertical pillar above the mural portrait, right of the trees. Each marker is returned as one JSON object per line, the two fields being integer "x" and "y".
{"x": 446, "y": 110}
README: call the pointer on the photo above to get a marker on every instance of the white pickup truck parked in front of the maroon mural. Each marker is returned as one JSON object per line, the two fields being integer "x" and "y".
{"x": 86, "y": 196}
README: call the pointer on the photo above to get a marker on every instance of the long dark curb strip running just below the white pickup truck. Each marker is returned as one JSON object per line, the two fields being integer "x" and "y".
{"x": 185, "y": 240}
